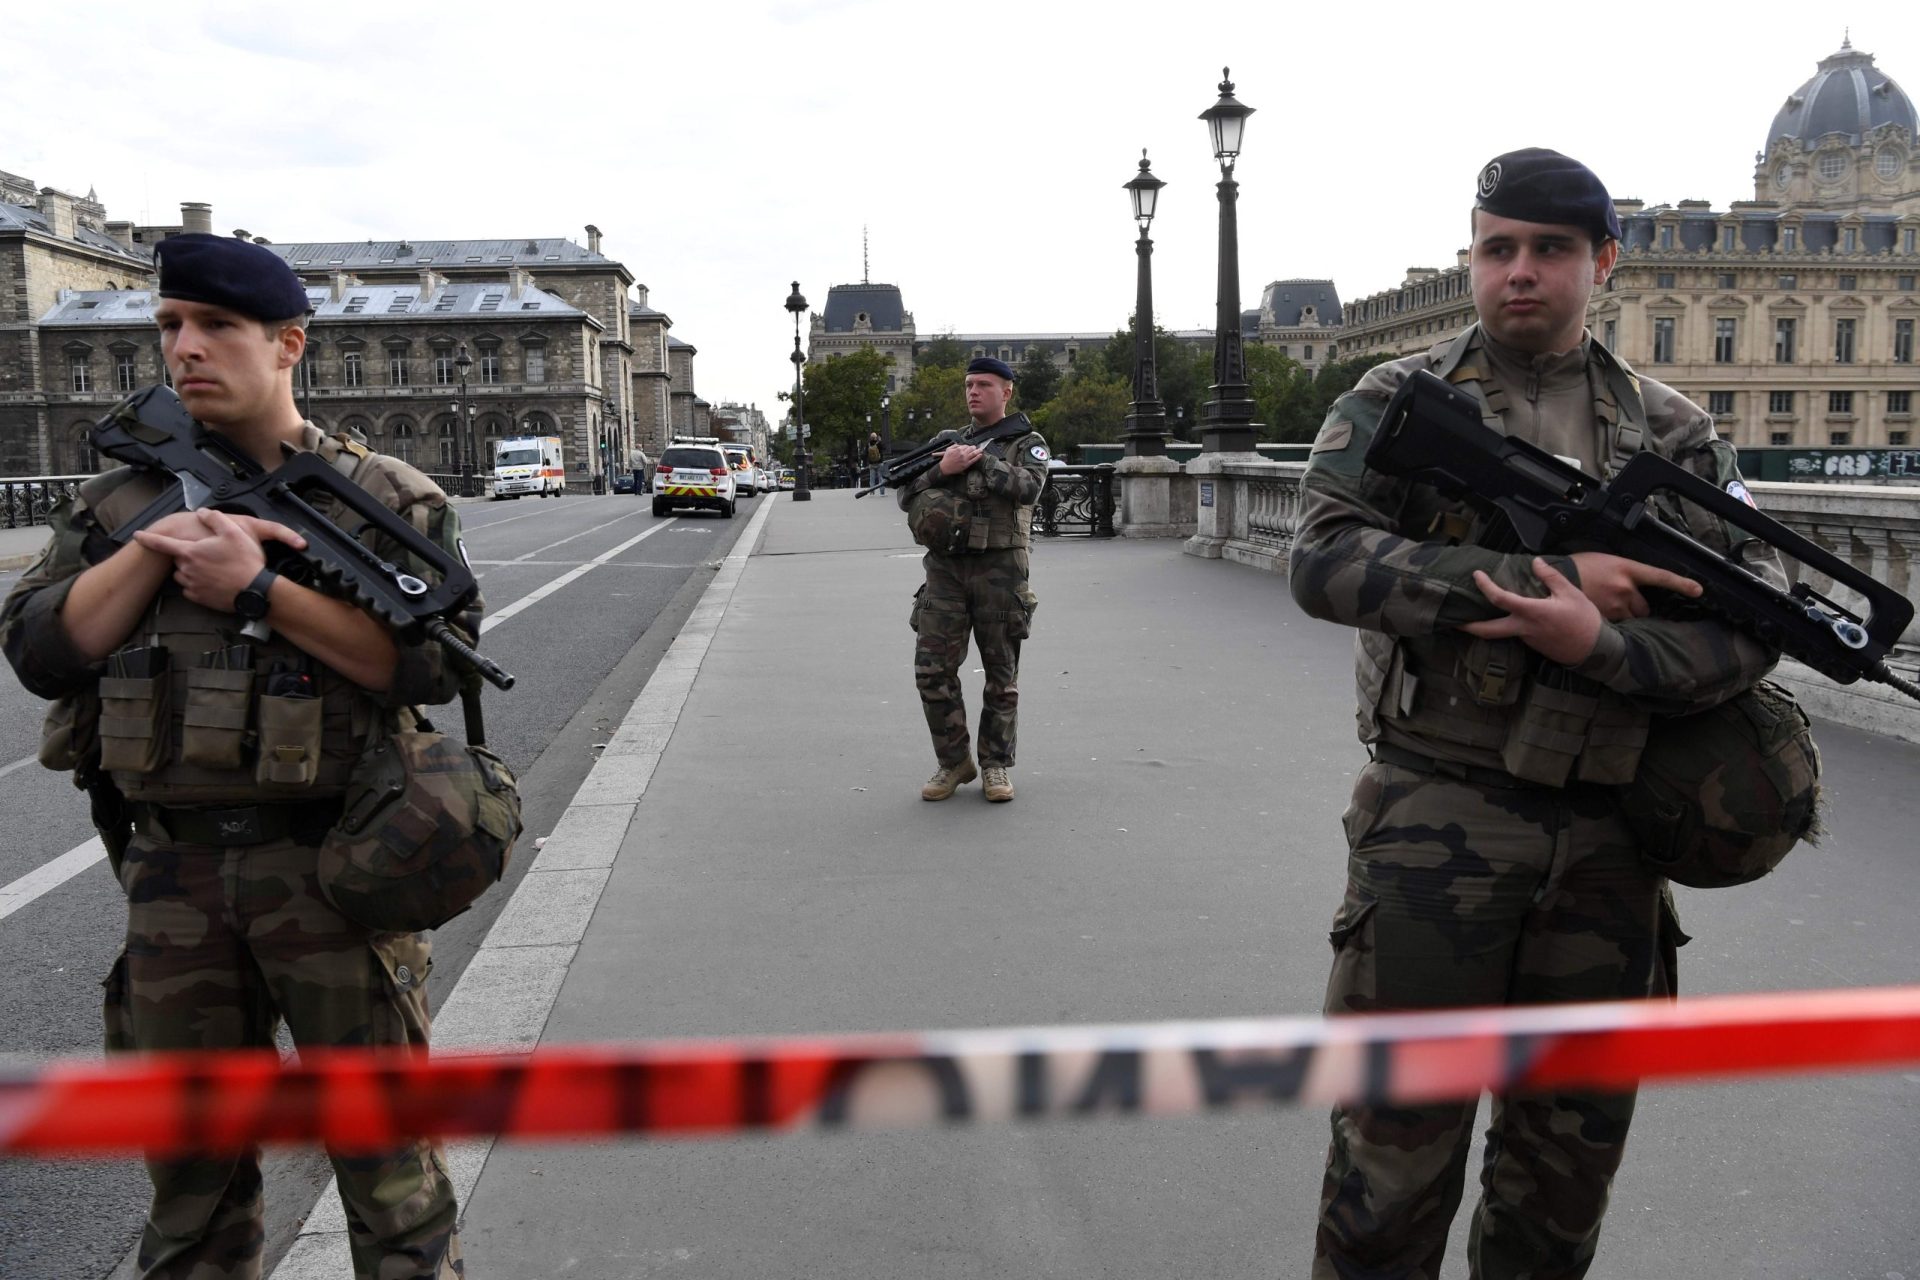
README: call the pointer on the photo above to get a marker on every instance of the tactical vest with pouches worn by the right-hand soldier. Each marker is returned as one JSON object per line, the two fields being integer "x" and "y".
{"x": 1497, "y": 701}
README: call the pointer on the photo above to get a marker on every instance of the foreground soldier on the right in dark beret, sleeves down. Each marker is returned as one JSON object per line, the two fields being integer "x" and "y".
{"x": 1504, "y": 699}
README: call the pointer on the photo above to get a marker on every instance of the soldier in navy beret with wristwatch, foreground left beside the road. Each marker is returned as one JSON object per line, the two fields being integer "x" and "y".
{"x": 229, "y": 757}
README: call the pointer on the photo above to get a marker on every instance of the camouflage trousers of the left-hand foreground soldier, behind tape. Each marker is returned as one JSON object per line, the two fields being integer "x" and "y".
{"x": 222, "y": 945}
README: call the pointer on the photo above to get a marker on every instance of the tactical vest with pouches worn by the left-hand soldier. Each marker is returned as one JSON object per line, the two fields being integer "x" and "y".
{"x": 197, "y": 734}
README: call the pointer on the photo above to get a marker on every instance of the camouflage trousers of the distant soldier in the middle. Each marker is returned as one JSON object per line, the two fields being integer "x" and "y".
{"x": 984, "y": 596}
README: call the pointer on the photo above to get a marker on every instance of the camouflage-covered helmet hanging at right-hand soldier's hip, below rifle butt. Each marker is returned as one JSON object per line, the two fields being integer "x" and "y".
{"x": 1727, "y": 794}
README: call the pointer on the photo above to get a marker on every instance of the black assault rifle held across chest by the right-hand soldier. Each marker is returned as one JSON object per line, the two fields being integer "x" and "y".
{"x": 1433, "y": 435}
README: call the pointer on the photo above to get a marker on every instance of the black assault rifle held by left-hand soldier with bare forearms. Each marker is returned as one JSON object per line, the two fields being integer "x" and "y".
{"x": 155, "y": 433}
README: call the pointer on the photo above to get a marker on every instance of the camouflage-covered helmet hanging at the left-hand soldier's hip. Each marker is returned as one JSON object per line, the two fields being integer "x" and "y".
{"x": 427, "y": 828}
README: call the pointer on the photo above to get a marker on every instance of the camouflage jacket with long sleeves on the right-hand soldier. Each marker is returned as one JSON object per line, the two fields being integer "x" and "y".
{"x": 1385, "y": 556}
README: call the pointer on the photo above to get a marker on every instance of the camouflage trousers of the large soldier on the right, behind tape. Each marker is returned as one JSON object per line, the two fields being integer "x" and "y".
{"x": 1466, "y": 895}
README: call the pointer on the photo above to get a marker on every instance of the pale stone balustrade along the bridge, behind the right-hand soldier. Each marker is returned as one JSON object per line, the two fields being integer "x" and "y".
{"x": 1247, "y": 510}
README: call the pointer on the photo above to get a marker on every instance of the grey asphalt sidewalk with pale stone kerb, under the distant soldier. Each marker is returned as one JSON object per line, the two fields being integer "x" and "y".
{"x": 752, "y": 857}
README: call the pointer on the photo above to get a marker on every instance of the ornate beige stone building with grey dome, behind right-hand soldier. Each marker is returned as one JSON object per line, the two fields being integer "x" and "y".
{"x": 1792, "y": 318}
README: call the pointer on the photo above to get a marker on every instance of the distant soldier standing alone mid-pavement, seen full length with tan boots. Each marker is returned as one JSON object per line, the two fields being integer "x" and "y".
{"x": 974, "y": 513}
